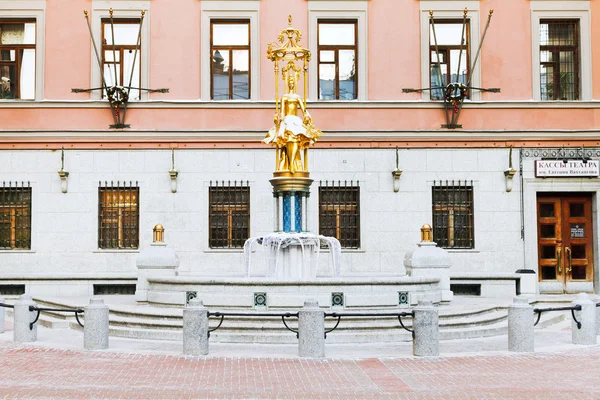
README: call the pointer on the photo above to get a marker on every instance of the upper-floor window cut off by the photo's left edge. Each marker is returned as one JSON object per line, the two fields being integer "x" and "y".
{"x": 17, "y": 59}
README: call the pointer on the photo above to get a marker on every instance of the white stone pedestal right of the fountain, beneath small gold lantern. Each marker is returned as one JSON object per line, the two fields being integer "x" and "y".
{"x": 427, "y": 260}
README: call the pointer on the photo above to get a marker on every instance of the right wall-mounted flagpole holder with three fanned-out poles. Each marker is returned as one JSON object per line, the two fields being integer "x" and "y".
{"x": 454, "y": 93}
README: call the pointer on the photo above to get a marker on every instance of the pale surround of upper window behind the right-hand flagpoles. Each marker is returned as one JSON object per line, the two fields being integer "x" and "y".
{"x": 450, "y": 10}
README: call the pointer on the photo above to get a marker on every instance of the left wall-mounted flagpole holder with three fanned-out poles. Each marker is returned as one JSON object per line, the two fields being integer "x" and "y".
{"x": 118, "y": 94}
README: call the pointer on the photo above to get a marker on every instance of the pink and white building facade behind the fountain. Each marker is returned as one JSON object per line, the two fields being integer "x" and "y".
{"x": 515, "y": 187}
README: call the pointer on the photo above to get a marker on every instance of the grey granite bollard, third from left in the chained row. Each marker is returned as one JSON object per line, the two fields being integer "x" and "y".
{"x": 195, "y": 329}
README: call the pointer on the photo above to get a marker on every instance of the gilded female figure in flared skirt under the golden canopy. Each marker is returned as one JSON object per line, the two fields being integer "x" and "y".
{"x": 292, "y": 134}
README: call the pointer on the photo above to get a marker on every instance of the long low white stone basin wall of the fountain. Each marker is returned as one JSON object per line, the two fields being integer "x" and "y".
{"x": 242, "y": 293}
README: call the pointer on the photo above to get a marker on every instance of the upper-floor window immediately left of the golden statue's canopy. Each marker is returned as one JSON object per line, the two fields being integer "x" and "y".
{"x": 230, "y": 54}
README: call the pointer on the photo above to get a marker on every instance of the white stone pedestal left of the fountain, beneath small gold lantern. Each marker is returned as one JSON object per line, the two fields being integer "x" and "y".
{"x": 155, "y": 260}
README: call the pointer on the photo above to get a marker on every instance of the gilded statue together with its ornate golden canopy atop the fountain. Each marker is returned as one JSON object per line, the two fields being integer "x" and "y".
{"x": 291, "y": 135}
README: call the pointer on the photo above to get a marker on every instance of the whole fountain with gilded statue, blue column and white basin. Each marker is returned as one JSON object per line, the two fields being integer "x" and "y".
{"x": 290, "y": 254}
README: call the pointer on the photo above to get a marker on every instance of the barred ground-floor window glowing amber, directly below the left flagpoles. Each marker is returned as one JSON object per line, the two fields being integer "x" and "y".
{"x": 103, "y": 229}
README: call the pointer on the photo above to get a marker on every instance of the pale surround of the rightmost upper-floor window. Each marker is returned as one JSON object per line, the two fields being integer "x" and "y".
{"x": 563, "y": 10}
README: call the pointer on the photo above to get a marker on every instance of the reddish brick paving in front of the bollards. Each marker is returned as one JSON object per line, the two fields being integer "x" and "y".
{"x": 32, "y": 372}
